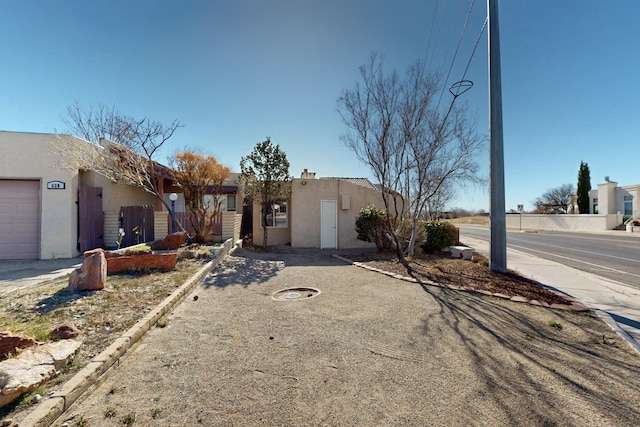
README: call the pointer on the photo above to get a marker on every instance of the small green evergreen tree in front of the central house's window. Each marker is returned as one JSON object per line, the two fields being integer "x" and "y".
{"x": 265, "y": 174}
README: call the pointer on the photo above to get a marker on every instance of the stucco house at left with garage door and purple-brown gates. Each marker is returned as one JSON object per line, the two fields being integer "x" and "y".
{"x": 51, "y": 211}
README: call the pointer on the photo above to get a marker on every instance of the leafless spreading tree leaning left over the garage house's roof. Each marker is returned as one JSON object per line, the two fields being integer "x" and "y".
{"x": 127, "y": 146}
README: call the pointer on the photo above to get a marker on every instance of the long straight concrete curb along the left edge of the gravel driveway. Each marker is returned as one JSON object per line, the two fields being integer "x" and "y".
{"x": 49, "y": 410}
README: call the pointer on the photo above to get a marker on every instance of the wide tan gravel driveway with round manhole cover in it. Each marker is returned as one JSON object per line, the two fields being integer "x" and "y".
{"x": 369, "y": 350}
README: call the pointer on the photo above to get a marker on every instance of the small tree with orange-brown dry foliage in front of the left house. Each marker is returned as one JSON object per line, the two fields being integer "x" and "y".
{"x": 199, "y": 176}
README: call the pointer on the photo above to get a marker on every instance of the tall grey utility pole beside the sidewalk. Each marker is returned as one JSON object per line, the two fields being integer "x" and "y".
{"x": 498, "y": 240}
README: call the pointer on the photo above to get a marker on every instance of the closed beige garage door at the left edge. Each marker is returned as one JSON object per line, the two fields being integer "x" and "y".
{"x": 19, "y": 219}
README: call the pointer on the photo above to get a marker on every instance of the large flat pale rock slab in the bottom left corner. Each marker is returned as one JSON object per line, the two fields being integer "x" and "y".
{"x": 33, "y": 367}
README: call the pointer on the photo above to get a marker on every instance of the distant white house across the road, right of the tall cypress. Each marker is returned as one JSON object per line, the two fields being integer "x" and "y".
{"x": 608, "y": 199}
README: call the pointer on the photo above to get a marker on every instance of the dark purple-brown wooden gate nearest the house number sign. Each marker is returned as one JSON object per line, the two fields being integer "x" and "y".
{"x": 90, "y": 218}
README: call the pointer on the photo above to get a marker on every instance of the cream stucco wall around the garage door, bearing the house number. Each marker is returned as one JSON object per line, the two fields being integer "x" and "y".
{"x": 28, "y": 156}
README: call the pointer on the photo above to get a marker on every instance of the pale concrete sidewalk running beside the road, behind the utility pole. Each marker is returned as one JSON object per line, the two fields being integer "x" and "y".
{"x": 617, "y": 304}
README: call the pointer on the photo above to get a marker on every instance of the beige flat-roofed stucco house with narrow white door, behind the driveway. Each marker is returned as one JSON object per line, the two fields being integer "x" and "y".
{"x": 321, "y": 213}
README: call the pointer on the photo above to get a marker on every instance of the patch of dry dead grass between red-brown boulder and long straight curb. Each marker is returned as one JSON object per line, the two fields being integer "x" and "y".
{"x": 101, "y": 316}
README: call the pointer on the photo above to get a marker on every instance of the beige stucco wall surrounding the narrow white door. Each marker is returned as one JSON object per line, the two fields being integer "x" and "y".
{"x": 306, "y": 204}
